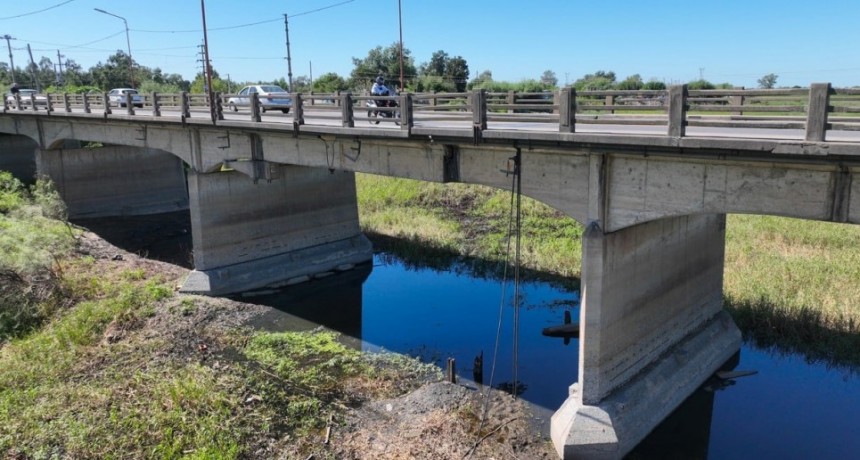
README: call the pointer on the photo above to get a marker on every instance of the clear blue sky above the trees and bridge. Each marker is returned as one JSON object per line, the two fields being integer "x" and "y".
{"x": 669, "y": 40}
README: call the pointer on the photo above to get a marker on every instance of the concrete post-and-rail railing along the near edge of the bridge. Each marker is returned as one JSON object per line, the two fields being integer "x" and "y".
{"x": 815, "y": 110}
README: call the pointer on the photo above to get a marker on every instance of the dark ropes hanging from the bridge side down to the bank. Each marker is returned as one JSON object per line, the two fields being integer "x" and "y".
{"x": 515, "y": 234}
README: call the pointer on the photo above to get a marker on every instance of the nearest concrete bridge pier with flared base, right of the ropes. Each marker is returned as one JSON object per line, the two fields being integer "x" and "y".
{"x": 652, "y": 330}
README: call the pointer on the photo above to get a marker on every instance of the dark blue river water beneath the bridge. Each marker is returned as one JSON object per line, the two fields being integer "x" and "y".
{"x": 790, "y": 409}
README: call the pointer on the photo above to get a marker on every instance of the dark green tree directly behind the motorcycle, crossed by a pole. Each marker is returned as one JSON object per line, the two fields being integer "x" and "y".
{"x": 385, "y": 62}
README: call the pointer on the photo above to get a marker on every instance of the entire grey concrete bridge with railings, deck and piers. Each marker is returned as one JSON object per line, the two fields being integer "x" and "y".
{"x": 272, "y": 201}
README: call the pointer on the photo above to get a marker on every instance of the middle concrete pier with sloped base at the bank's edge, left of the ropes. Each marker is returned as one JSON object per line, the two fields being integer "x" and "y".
{"x": 249, "y": 236}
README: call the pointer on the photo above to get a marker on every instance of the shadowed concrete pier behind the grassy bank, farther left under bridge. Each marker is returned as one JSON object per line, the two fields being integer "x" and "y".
{"x": 115, "y": 180}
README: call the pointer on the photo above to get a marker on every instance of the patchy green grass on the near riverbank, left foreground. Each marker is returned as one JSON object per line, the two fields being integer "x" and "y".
{"x": 112, "y": 365}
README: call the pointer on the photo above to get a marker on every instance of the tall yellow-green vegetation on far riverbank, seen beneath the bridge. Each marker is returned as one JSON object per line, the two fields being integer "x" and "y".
{"x": 791, "y": 284}
